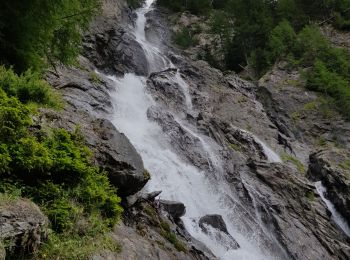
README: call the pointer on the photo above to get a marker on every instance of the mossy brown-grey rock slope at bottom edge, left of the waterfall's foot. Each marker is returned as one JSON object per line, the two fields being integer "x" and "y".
{"x": 145, "y": 235}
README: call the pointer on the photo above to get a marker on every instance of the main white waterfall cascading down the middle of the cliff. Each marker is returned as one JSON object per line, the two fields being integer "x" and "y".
{"x": 201, "y": 193}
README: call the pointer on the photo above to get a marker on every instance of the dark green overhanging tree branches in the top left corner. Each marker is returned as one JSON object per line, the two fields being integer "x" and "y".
{"x": 35, "y": 34}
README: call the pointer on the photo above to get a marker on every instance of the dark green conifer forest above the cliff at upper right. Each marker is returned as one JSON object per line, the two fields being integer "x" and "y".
{"x": 259, "y": 33}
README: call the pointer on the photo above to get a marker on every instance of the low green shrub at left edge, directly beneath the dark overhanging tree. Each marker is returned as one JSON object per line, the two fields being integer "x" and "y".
{"x": 28, "y": 87}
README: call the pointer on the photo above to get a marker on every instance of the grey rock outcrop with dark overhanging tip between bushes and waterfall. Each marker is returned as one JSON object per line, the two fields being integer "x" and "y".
{"x": 88, "y": 100}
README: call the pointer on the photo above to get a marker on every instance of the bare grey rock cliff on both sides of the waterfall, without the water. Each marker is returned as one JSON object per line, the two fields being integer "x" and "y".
{"x": 275, "y": 198}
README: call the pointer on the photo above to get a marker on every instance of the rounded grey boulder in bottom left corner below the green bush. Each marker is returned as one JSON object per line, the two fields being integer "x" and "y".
{"x": 22, "y": 223}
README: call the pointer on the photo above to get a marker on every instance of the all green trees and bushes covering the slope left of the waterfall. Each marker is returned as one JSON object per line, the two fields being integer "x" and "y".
{"x": 50, "y": 166}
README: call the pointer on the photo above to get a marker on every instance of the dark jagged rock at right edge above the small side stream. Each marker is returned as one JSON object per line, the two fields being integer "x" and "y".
{"x": 323, "y": 167}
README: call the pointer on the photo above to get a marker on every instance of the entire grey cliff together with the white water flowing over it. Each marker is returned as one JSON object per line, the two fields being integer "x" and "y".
{"x": 229, "y": 148}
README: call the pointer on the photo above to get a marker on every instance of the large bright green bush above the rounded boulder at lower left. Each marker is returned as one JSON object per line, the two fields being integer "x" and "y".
{"x": 54, "y": 169}
